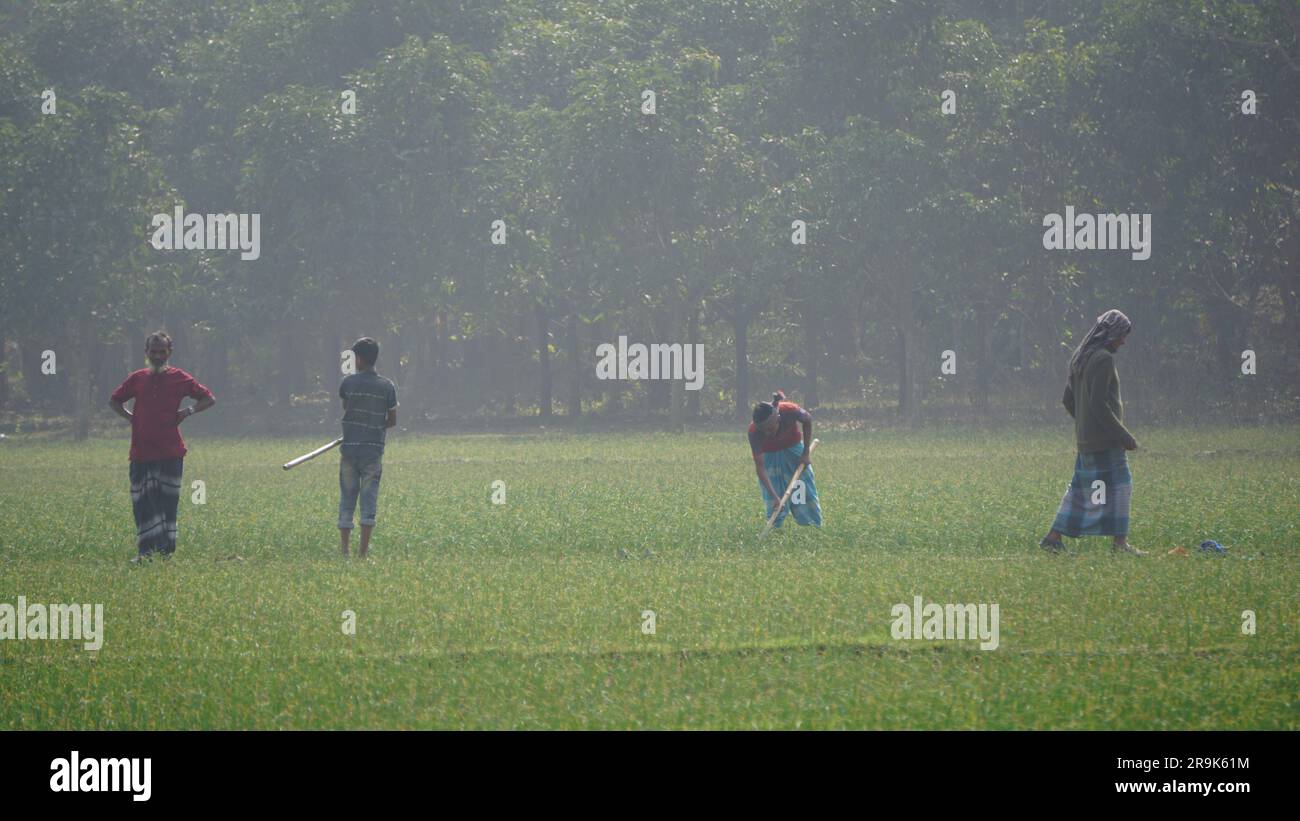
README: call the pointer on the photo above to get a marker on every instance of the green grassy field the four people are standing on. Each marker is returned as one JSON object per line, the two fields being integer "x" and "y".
{"x": 473, "y": 615}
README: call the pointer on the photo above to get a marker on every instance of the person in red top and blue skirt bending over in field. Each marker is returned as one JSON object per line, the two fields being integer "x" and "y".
{"x": 777, "y": 440}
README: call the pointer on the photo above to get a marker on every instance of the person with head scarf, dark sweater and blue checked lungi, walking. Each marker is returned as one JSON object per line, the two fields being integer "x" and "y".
{"x": 1093, "y": 399}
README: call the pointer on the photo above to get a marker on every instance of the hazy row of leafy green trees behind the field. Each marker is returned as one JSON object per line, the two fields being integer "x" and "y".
{"x": 924, "y": 225}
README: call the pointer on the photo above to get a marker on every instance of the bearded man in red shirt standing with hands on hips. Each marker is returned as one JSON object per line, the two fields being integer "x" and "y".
{"x": 158, "y": 449}
